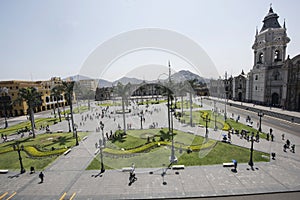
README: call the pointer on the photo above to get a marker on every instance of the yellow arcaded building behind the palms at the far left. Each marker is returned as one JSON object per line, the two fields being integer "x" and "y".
{"x": 9, "y": 93}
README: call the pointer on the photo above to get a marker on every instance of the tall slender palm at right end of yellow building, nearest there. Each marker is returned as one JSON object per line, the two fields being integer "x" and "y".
{"x": 68, "y": 87}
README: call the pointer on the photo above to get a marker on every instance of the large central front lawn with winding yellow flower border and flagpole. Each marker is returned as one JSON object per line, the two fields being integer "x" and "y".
{"x": 205, "y": 153}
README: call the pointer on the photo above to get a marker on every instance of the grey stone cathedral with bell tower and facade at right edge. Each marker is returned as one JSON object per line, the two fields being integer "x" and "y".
{"x": 274, "y": 79}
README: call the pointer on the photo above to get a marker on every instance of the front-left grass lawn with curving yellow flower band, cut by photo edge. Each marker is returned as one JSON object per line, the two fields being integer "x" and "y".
{"x": 38, "y": 152}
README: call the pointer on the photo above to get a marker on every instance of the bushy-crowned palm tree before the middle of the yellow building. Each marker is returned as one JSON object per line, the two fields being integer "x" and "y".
{"x": 33, "y": 99}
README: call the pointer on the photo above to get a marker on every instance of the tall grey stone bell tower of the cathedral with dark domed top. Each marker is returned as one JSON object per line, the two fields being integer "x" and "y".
{"x": 269, "y": 54}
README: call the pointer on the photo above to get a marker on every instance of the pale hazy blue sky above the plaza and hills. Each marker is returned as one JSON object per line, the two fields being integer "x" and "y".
{"x": 44, "y": 39}
